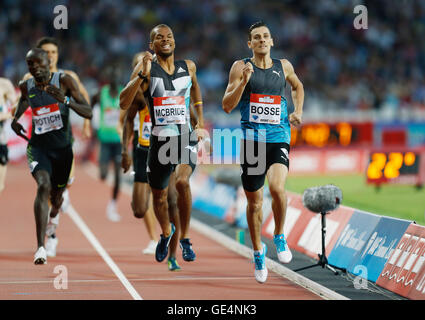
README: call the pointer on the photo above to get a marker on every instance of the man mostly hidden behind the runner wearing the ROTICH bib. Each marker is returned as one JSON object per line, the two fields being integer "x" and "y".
{"x": 51, "y": 46}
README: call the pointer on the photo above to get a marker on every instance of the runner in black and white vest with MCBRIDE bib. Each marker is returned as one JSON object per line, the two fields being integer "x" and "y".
{"x": 169, "y": 86}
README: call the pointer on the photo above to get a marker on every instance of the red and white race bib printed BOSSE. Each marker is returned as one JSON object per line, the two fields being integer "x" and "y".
{"x": 264, "y": 108}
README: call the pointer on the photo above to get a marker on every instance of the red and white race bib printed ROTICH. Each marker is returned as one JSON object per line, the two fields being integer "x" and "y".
{"x": 47, "y": 118}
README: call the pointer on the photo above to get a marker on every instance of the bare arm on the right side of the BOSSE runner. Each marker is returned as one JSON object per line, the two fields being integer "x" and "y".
{"x": 297, "y": 92}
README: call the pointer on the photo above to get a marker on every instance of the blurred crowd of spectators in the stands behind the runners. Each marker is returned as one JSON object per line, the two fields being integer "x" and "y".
{"x": 379, "y": 68}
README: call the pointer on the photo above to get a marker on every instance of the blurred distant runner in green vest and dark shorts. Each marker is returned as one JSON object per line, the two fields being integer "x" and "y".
{"x": 110, "y": 141}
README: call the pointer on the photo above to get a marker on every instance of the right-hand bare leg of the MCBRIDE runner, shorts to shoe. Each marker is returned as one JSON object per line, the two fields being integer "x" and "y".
{"x": 184, "y": 197}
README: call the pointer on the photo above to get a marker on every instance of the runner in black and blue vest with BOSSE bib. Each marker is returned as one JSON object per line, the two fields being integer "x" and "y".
{"x": 257, "y": 87}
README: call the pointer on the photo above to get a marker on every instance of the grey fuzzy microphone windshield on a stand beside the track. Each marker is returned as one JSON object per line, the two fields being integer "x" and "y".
{"x": 322, "y": 199}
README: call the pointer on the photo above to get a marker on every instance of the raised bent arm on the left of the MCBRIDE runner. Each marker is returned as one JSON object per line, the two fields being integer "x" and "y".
{"x": 136, "y": 84}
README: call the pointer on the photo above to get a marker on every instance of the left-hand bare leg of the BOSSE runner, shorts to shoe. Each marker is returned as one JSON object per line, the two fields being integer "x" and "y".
{"x": 254, "y": 216}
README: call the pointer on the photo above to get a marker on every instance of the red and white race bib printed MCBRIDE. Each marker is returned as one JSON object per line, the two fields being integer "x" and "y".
{"x": 169, "y": 110}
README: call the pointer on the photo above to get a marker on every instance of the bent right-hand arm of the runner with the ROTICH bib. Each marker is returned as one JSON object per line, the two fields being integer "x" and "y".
{"x": 80, "y": 105}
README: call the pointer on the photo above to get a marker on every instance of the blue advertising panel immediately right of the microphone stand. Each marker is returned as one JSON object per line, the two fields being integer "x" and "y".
{"x": 353, "y": 238}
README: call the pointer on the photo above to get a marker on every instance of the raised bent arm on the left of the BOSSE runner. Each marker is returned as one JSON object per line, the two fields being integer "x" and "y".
{"x": 239, "y": 75}
